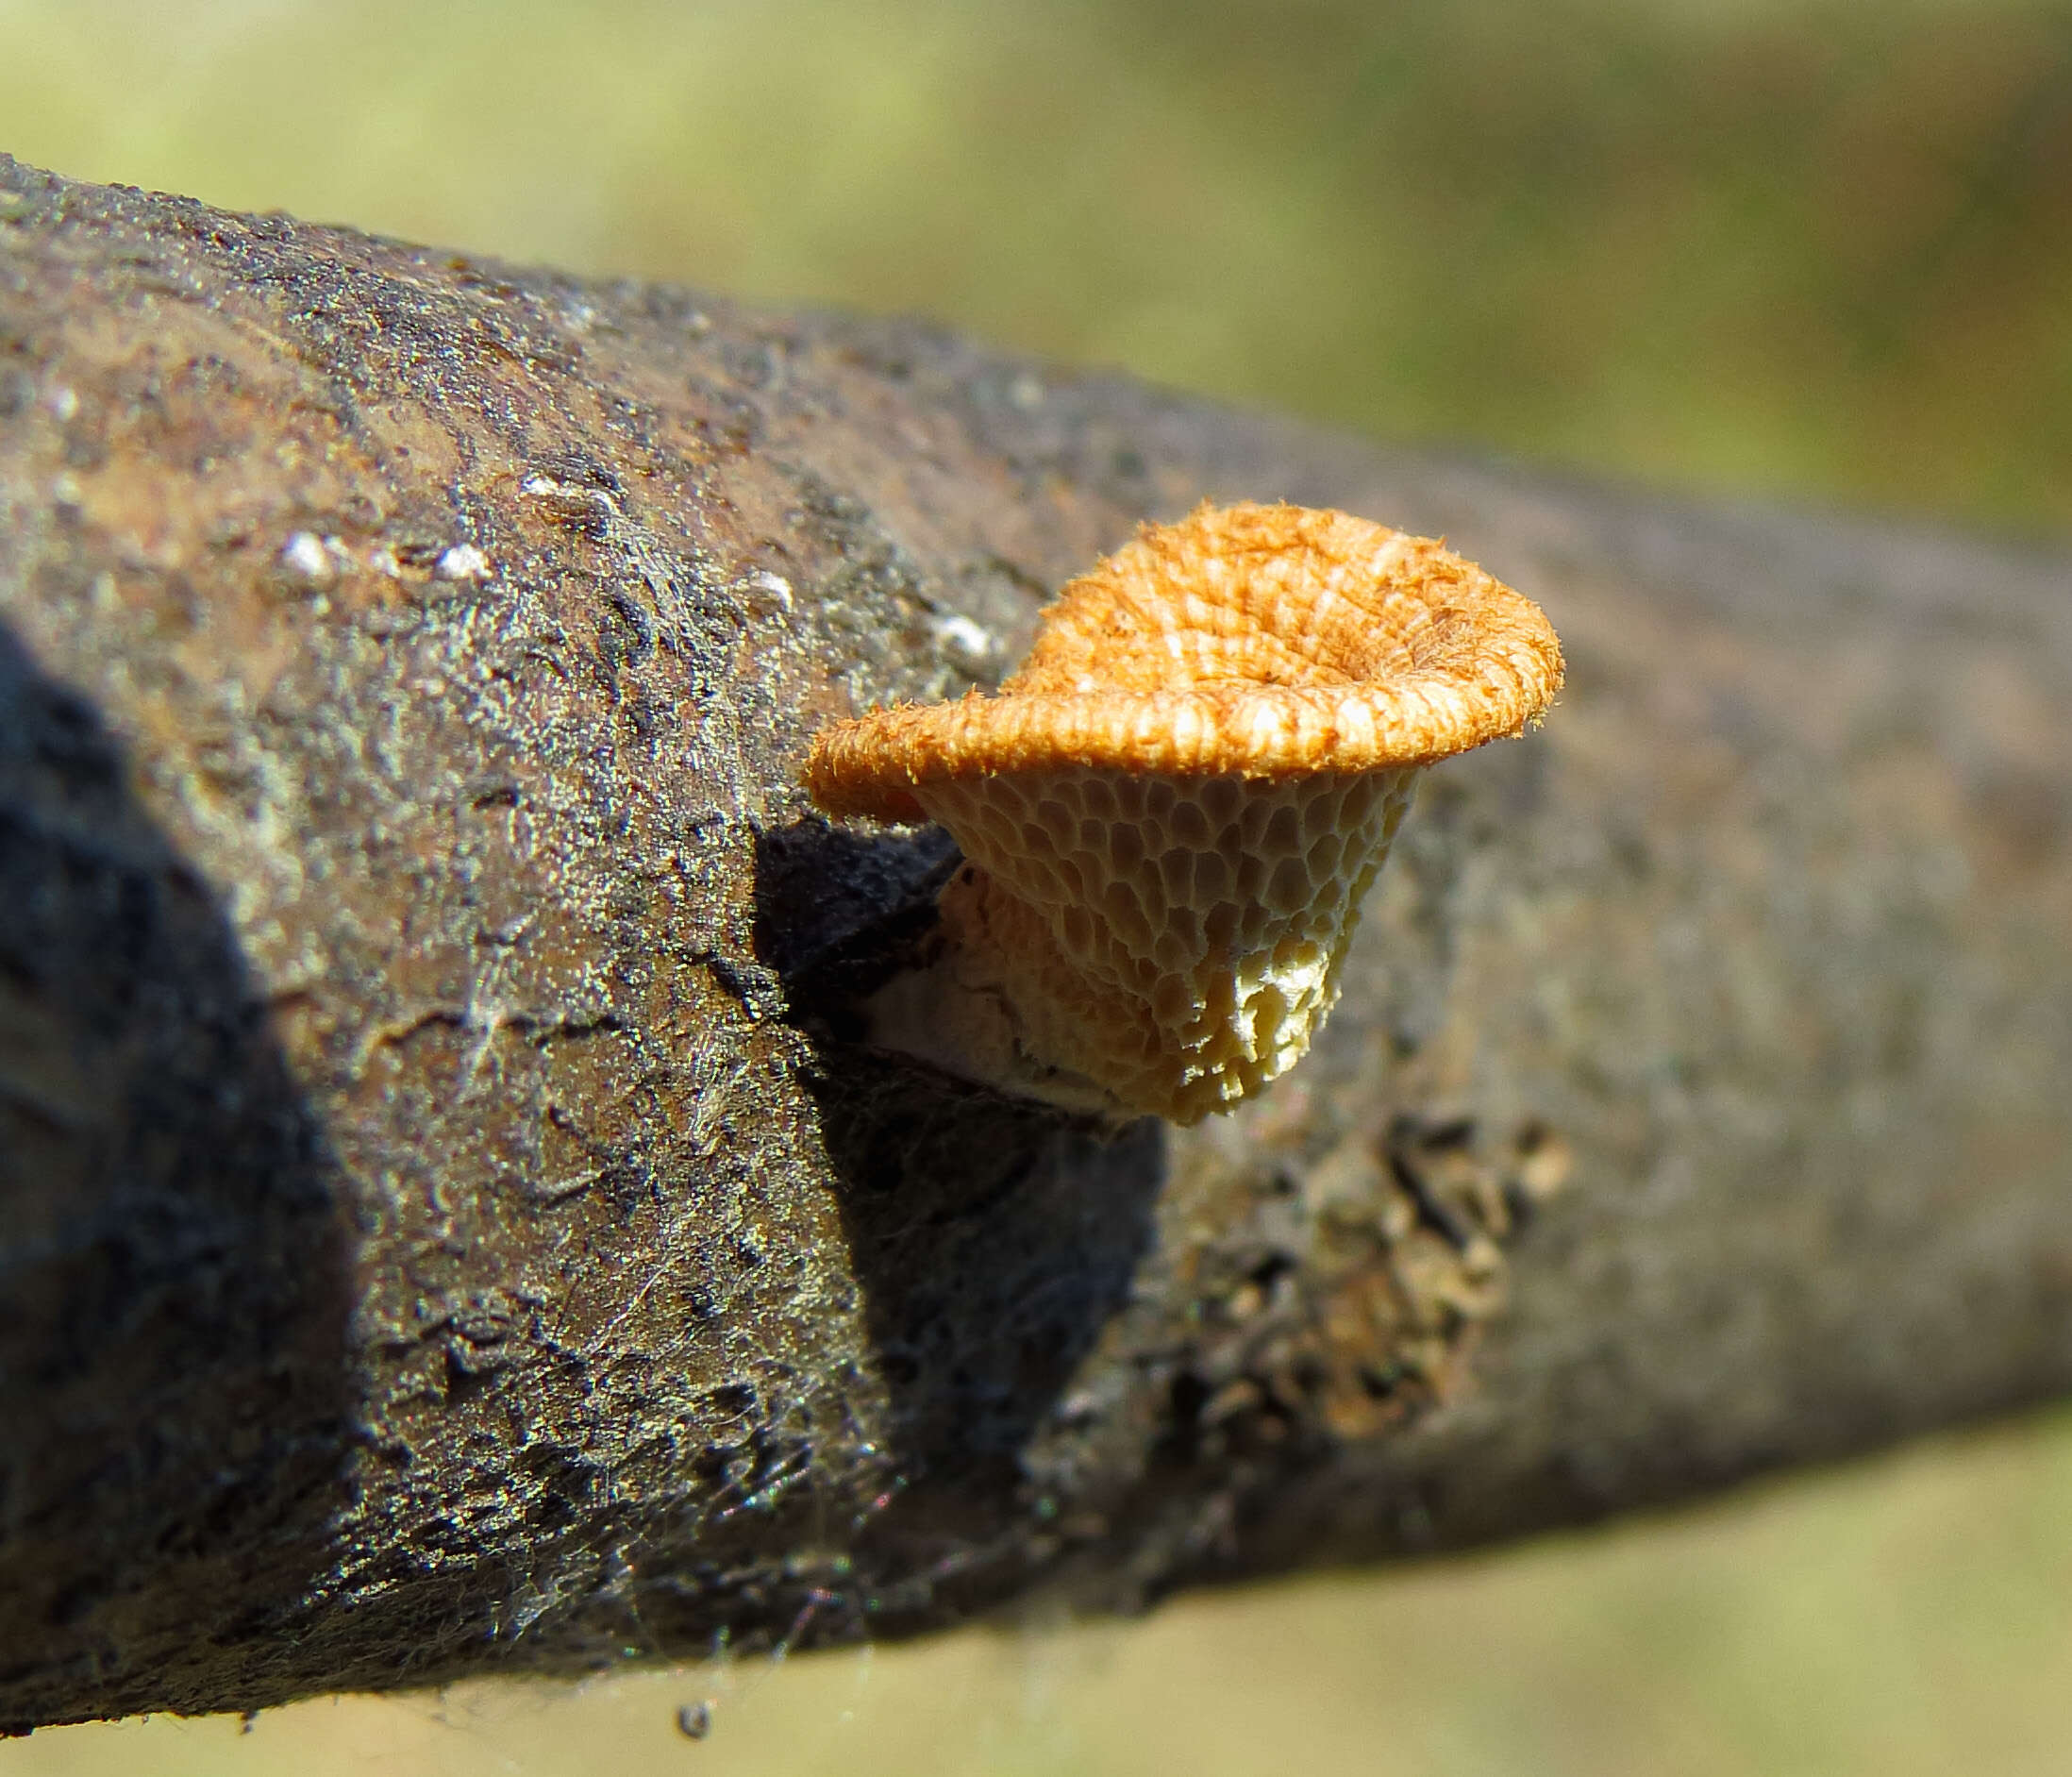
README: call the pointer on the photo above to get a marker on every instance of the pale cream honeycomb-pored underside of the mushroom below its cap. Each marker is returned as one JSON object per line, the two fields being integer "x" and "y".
{"x": 1176, "y": 940}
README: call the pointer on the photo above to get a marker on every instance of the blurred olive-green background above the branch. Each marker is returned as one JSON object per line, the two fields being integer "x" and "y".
{"x": 1802, "y": 248}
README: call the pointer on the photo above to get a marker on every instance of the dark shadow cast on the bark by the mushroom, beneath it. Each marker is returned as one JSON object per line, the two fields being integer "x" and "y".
{"x": 994, "y": 1237}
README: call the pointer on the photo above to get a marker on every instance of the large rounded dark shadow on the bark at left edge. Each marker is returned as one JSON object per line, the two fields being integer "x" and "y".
{"x": 173, "y": 1264}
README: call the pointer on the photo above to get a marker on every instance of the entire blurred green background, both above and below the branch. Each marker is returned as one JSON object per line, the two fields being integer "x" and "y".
{"x": 1806, "y": 252}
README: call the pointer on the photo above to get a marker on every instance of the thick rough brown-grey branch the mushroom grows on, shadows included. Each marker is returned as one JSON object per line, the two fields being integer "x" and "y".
{"x": 447, "y": 1222}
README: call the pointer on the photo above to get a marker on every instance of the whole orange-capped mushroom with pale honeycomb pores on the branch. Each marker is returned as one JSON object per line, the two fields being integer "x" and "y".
{"x": 1172, "y": 812}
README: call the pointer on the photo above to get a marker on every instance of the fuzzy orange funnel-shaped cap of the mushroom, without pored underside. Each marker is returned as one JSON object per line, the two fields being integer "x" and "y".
{"x": 1265, "y": 642}
